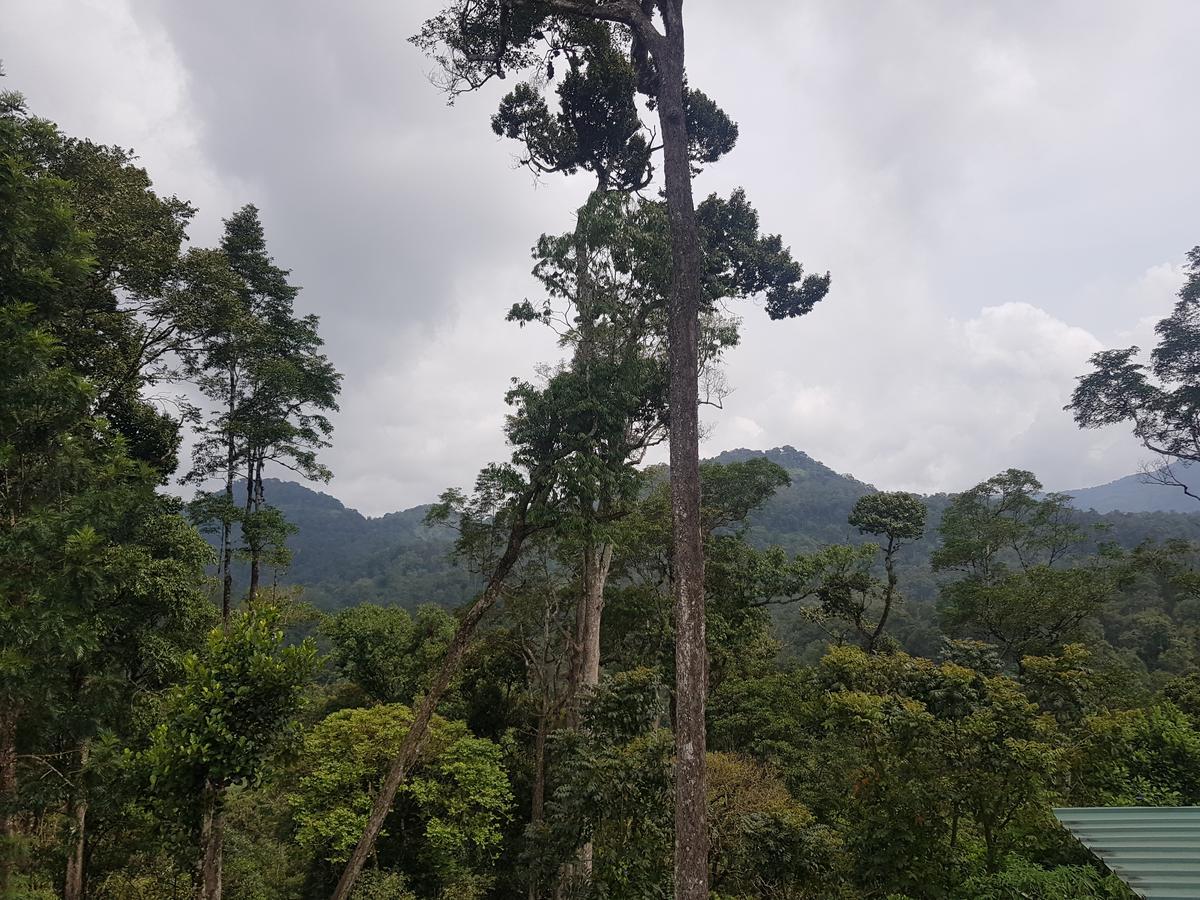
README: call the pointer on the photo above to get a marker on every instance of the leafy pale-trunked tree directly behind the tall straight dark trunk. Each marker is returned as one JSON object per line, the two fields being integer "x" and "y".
{"x": 610, "y": 310}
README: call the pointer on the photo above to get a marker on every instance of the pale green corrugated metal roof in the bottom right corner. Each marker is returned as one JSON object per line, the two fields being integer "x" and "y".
{"x": 1155, "y": 850}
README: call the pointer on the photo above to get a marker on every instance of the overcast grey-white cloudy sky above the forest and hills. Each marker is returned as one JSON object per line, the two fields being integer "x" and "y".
{"x": 999, "y": 190}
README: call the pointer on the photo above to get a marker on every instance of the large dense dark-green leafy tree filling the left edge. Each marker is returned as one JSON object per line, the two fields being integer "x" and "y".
{"x": 100, "y": 574}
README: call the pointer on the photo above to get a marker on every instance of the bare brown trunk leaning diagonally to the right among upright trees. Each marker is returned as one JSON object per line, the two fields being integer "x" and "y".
{"x": 419, "y": 731}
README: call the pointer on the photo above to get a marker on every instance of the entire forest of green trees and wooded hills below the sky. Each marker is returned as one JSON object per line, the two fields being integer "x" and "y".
{"x": 580, "y": 676}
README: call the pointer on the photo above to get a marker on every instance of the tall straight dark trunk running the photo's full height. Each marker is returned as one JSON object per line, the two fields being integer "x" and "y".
{"x": 688, "y": 559}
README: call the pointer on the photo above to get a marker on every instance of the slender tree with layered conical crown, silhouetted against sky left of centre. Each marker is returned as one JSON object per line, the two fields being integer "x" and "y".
{"x": 262, "y": 368}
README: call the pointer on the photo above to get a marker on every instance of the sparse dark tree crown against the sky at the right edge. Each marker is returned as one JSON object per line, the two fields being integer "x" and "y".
{"x": 1160, "y": 400}
